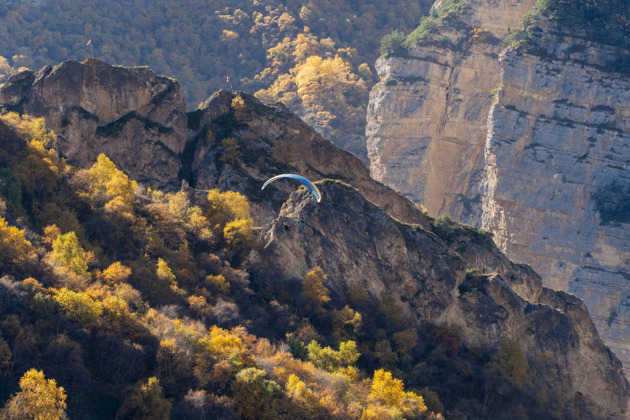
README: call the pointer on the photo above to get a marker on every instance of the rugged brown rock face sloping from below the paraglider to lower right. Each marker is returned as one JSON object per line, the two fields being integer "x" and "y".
{"x": 356, "y": 243}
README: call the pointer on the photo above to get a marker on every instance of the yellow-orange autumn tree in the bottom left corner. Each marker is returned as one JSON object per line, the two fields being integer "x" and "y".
{"x": 39, "y": 398}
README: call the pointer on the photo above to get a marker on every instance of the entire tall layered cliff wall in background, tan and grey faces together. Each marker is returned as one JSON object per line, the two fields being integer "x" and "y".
{"x": 525, "y": 147}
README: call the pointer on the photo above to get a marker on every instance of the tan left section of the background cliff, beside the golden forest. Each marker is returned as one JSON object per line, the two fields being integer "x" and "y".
{"x": 427, "y": 117}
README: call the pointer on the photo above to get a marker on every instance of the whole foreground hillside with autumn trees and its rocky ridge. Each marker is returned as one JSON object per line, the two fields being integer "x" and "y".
{"x": 170, "y": 302}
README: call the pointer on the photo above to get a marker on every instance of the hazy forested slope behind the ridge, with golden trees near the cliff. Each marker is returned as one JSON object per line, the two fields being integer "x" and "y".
{"x": 316, "y": 56}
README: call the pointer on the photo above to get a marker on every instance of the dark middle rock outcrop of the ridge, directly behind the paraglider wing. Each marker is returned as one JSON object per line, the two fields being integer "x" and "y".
{"x": 269, "y": 141}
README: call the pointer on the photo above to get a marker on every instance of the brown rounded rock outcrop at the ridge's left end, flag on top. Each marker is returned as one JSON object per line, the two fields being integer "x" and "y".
{"x": 138, "y": 119}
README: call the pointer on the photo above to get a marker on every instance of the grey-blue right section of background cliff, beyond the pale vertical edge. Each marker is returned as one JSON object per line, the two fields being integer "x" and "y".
{"x": 559, "y": 135}
